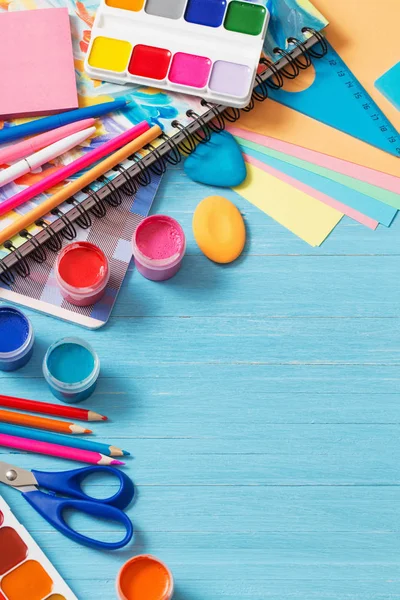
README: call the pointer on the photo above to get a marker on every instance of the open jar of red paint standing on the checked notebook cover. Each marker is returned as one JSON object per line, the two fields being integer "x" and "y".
{"x": 82, "y": 273}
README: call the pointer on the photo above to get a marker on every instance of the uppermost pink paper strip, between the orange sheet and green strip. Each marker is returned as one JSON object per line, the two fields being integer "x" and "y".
{"x": 382, "y": 180}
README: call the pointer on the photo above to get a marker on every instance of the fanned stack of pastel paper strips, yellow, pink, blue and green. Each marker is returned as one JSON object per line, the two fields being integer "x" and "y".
{"x": 309, "y": 192}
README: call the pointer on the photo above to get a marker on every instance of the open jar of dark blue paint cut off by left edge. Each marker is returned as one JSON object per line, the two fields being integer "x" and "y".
{"x": 16, "y": 339}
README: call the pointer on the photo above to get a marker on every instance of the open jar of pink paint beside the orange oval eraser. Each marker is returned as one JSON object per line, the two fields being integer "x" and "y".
{"x": 159, "y": 245}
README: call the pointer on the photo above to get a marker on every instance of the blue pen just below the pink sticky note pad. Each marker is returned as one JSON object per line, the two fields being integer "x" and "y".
{"x": 39, "y": 126}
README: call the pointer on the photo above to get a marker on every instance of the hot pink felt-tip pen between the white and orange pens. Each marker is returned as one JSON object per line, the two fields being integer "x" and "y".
{"x": 77, "y": 165}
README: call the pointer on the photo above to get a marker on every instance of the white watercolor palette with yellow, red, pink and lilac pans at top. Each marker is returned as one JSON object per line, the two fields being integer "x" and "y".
{"x": 208, "y": 48}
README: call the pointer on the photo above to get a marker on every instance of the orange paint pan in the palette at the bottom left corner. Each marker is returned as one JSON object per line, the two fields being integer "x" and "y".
{"x": 29, "y": 580}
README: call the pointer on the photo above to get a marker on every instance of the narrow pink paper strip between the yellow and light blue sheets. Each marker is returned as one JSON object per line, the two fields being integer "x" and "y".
{"x": 350, "y": 212}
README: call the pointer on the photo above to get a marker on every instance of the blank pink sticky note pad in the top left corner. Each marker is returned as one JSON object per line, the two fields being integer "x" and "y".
{"x": 37, "y": 74}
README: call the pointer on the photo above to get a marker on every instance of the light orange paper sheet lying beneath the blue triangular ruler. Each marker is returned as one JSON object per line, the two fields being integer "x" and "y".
{"x": 366, "y": 35}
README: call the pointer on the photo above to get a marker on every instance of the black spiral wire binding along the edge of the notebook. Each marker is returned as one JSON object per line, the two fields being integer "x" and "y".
{"x": 170, "y": 151}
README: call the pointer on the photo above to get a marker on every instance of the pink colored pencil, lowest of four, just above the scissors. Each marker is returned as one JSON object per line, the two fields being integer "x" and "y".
{"x": 93, "y": 458}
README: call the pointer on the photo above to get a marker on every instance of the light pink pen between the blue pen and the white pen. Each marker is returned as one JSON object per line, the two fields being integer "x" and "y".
{"x": 27, "y": 147}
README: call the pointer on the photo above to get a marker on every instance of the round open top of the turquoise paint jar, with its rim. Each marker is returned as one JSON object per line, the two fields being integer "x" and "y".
{"x": 70, "y": 363}
